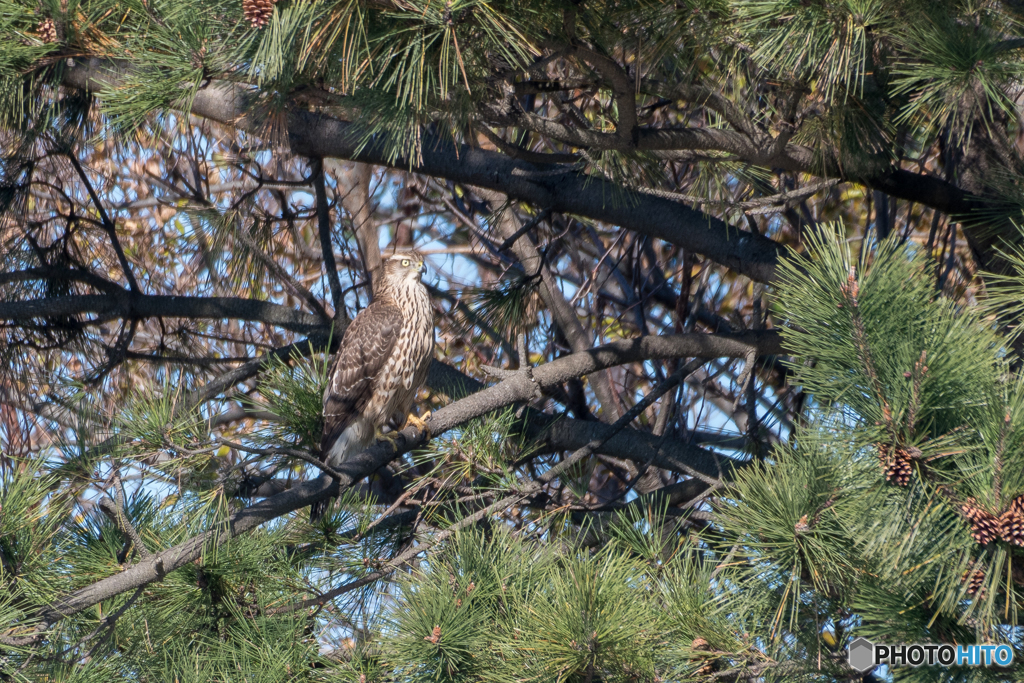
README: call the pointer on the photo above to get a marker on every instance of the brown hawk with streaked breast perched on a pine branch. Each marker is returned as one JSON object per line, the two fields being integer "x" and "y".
{"x": 381, "y": 365}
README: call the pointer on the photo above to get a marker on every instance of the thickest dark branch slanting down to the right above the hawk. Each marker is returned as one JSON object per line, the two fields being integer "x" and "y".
{"x": 563, "y": 189}
